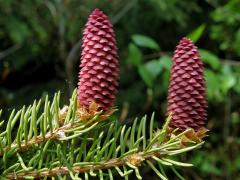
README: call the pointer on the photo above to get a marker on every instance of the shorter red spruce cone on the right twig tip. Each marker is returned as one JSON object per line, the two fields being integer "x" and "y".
{"x": 186, "y": 93}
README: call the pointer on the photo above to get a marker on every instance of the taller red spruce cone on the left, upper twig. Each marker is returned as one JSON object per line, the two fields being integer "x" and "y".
{"x": 98, "y": 78}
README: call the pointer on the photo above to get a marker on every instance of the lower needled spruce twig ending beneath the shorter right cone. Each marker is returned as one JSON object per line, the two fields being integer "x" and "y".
{"x": 119, "y": 147}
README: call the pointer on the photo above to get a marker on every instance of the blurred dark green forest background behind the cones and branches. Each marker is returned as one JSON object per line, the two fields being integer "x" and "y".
{"x": 40, "y": 50}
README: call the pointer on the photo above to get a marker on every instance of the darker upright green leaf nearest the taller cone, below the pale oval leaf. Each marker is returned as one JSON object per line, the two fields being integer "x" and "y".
{"x": 134, "y": 55}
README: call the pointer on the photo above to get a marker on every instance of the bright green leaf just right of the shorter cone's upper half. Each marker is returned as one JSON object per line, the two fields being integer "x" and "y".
{"x": 210, "y": 58}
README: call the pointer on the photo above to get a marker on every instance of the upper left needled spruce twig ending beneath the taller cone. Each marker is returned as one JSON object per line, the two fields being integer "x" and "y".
{"x": 67, "y": 121}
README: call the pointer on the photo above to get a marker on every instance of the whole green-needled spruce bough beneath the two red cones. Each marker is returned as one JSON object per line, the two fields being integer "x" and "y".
{"x": 75, "y": 142}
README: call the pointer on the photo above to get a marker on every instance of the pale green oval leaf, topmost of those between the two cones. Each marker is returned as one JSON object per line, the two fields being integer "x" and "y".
{"x": 145, "y": 41}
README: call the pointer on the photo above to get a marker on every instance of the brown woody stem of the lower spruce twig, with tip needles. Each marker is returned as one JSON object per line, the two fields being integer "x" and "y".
{"x": 133, "y": 160}
